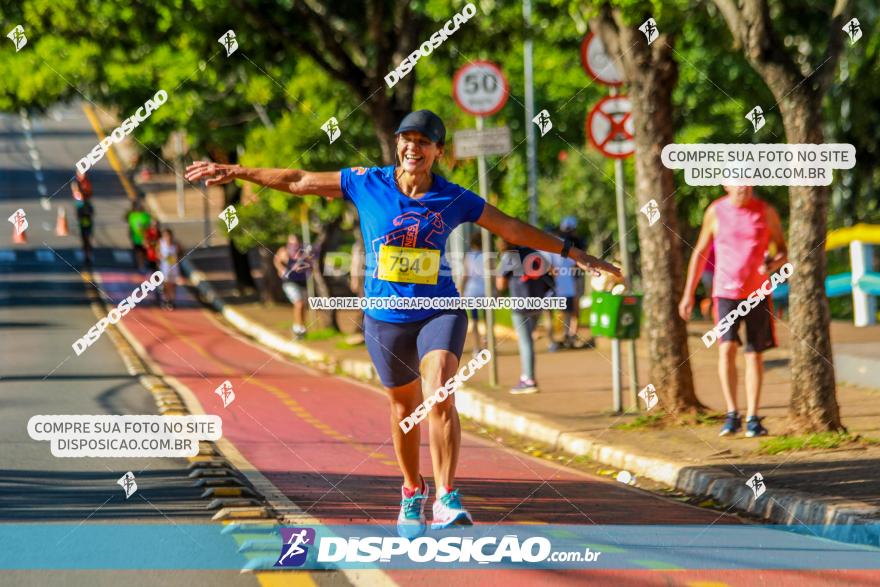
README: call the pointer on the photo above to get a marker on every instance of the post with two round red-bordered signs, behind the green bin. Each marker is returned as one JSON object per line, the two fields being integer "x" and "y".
{"x": 610, "y": 128}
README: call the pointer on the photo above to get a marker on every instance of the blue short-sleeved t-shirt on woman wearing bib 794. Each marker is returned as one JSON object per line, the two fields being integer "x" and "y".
{"x": 391, "y": 218}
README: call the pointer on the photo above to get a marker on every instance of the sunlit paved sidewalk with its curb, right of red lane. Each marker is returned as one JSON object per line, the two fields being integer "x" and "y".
{"x": 573, "y": 413}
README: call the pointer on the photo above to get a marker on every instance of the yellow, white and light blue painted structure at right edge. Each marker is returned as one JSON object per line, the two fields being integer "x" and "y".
{"x": 861, "y": 281}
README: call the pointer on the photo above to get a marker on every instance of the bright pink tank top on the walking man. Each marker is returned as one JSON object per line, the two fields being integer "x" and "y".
{"x": 741, "y": 239}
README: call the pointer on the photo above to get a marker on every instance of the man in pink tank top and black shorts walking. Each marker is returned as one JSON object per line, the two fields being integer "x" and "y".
{"x": 741, "y": 227}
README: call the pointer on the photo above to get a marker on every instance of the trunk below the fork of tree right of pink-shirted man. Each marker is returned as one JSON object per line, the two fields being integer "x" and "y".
{"x": 813, "y": 406}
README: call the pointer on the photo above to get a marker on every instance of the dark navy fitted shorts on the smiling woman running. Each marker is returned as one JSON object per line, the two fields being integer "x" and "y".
{"x": 397, "y": 349}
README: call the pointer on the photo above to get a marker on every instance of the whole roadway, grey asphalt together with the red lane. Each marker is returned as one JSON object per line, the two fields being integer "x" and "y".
{"x": 322, "y": 441}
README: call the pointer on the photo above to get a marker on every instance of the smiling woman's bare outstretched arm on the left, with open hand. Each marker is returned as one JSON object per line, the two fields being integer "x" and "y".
{"x": 295, "y": 181}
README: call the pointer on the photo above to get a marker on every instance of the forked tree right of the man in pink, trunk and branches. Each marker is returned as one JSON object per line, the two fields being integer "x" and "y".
{"x": 799, "y": 94}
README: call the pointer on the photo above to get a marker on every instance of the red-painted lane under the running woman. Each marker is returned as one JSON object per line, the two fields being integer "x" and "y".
{"x": 325, "y": 442}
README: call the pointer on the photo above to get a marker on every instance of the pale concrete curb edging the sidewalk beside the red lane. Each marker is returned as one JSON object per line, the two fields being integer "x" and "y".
{"x": 843, "y": 520}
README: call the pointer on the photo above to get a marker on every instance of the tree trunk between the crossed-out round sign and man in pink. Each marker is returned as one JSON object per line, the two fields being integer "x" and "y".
{"x": 651, "y": 73}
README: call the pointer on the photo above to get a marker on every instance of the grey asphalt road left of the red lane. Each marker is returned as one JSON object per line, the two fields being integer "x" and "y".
{"x": 45, "y": 308}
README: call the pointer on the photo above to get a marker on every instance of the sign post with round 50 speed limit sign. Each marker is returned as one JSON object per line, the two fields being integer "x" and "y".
{"x": 480, "y": 89}
